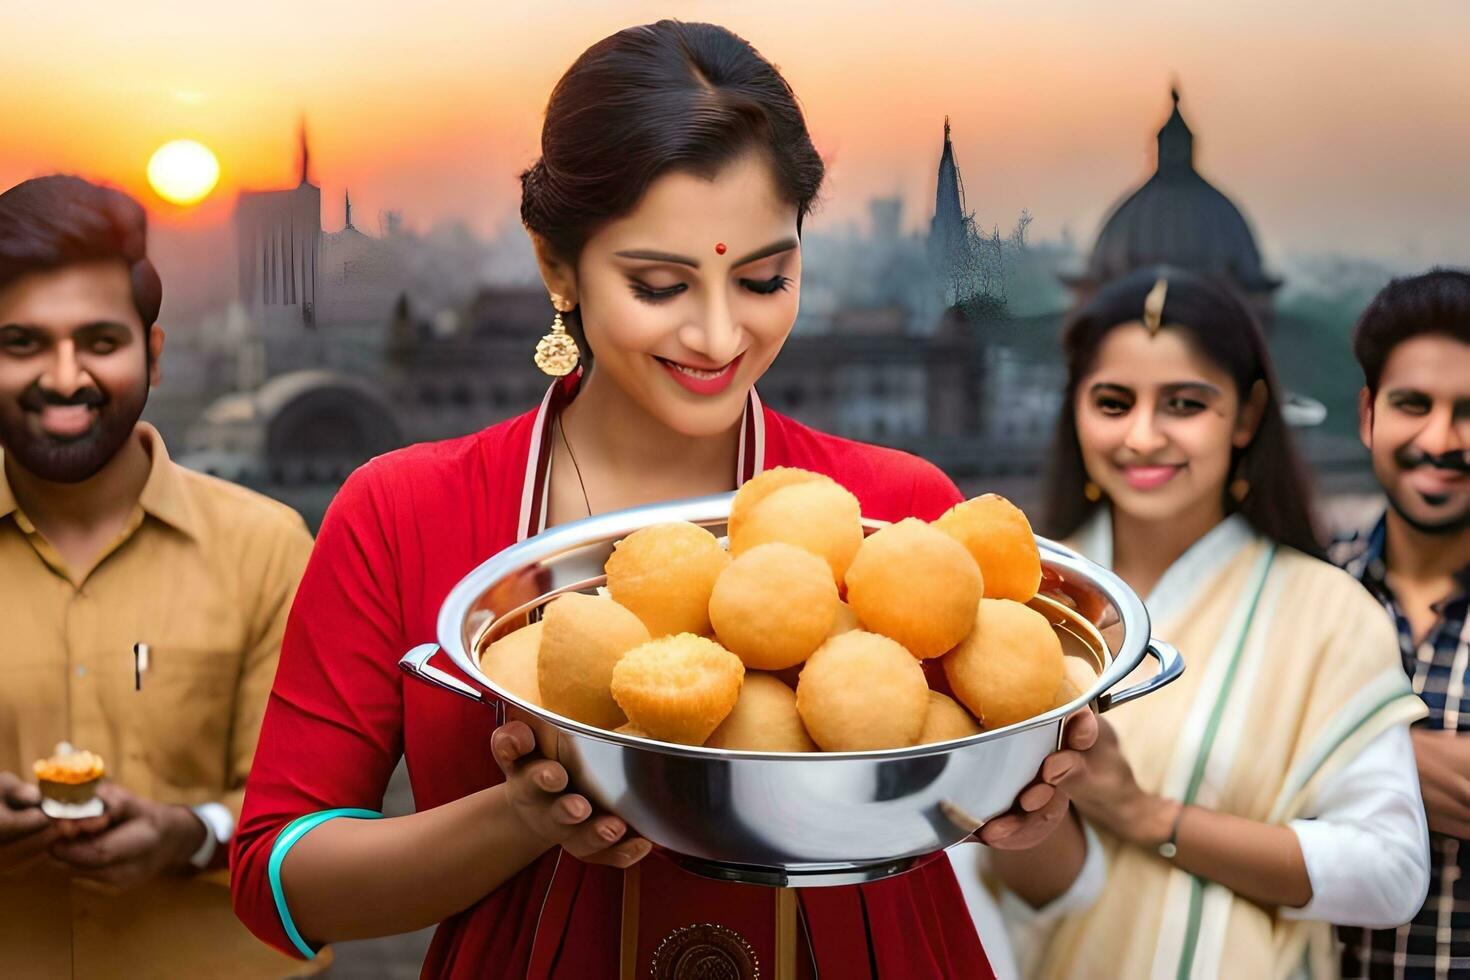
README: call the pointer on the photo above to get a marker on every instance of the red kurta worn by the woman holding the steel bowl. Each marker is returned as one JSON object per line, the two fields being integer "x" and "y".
{"x": 402, "y": 533}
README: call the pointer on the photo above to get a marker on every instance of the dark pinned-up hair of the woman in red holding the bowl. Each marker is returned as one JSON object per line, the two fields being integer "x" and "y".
{"x": 653, "y": 99}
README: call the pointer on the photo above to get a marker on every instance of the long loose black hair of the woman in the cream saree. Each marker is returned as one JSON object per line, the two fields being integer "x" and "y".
{"x": 1221, "y": 328}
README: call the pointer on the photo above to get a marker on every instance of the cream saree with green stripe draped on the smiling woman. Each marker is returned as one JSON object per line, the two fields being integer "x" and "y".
{"x": 1293, "y": 669}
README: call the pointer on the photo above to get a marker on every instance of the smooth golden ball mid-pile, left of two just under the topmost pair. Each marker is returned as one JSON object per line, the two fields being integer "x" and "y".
{"x": 774, "y": 606}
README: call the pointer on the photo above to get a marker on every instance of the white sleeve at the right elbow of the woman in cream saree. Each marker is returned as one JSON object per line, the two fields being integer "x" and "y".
{"x": 1368, "y": 846}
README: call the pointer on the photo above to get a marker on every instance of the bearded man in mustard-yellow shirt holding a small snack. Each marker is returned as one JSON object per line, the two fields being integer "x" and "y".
{"x": 142, "y": 609}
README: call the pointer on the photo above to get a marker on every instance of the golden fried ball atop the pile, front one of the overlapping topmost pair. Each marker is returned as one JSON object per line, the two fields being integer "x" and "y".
{"x": 820, "y": 516}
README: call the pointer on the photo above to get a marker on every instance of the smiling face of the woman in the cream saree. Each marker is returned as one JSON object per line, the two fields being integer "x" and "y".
{"x": 1158, "y": 425}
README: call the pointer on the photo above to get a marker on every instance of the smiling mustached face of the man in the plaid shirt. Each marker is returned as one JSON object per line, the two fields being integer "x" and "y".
{"x": 1418, "y": 430}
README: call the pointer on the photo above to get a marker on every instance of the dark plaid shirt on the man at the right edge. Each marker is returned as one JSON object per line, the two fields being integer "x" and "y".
{"x": 1437, "y": 944}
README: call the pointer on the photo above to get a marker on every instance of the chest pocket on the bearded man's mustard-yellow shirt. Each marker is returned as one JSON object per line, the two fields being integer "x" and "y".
{"x": 177, "y": 722}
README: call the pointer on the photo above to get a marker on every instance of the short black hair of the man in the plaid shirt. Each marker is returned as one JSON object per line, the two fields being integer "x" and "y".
{"x": 1434, "y": 303}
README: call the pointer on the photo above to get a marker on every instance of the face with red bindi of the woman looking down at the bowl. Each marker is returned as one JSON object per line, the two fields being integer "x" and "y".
{"x": 687, "y": 299}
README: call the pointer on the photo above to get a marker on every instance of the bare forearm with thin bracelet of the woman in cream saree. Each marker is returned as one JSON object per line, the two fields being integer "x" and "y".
{"x": 1258, "y": 862}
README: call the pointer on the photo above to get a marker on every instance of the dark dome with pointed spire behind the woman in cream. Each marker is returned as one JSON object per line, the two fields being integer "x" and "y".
{"x": 1181, "y": 220}
